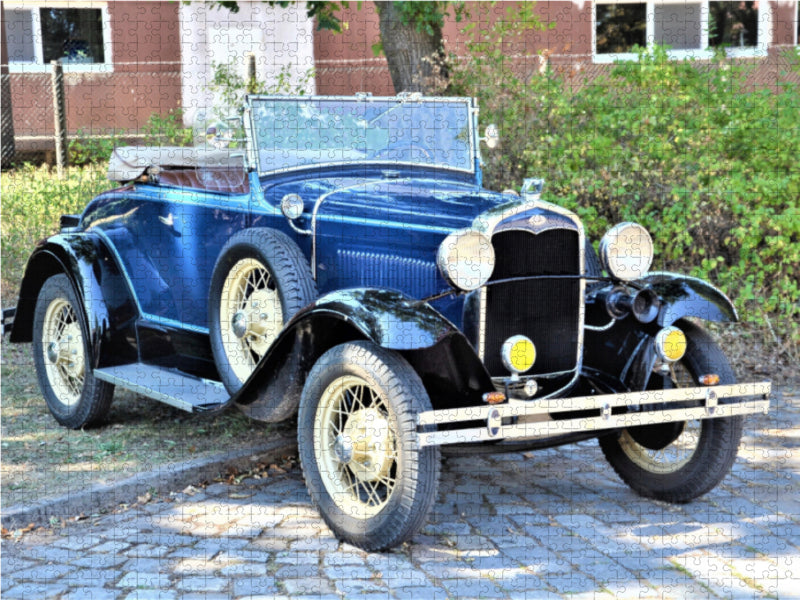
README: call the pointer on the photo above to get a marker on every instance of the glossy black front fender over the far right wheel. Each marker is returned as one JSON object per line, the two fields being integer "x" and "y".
{"x": 623, "y": 355}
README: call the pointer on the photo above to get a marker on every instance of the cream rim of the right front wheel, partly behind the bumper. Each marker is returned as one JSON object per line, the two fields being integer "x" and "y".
{"x": 674, "y": 456}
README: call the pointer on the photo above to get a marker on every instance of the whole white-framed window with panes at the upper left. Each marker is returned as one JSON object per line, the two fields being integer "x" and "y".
{"x": 76, "y": 33}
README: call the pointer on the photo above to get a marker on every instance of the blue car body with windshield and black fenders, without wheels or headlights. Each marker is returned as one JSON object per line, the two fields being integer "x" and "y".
{"x": 376, "y": 208}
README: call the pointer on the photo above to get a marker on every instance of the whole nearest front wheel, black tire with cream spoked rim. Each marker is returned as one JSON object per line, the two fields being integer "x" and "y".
{"x": 402, "y": 476}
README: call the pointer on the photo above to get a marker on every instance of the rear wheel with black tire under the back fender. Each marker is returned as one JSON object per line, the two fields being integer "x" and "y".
{"x": 63, "y": 363}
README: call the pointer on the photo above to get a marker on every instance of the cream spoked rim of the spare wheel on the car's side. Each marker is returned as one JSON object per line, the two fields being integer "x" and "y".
{"x": 251, "y": 315}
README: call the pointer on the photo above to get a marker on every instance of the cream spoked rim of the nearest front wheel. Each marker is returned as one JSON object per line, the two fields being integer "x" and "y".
{"x": 355, "y": 446}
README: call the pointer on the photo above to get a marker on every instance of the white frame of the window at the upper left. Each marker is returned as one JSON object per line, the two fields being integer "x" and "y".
{"x": 38, "y": 66}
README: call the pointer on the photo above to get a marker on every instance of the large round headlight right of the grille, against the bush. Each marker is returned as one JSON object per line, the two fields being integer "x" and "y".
{"x": 626, "y": 251}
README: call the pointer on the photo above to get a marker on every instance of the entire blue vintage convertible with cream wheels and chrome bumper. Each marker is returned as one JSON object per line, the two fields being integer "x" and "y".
{"x": 345, "y": 265}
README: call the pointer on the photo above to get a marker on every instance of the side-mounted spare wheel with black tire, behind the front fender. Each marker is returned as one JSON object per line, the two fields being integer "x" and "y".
{"x": 280, "y": 278}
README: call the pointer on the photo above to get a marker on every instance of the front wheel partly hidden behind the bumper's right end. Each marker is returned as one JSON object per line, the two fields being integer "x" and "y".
{"x": 715, "y": 442}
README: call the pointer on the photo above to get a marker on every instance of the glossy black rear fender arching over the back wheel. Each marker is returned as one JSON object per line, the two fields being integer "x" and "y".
{"x": 110, "y": 308}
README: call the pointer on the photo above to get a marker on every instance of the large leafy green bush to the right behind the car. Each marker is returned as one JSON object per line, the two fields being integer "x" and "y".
{"x": 707, "y": 163}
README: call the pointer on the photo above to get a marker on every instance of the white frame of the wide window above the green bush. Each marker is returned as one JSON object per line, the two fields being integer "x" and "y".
{"x": 760, "y": 50}
